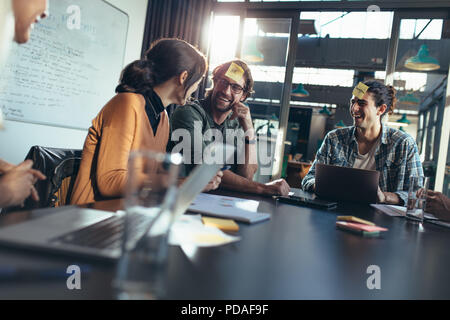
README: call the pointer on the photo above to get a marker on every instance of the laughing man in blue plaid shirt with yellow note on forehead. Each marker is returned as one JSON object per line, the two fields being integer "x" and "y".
{"x": 370, "y": 144}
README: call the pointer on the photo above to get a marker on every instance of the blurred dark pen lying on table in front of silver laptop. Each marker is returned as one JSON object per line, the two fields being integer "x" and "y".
{"x": 10, "y": 273}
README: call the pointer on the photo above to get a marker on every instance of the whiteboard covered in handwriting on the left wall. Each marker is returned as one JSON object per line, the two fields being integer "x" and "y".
{"x": 69, "y": 68}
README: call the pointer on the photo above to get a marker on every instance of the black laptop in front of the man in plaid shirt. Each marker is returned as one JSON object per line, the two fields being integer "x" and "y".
{"x": 346, "y": 184}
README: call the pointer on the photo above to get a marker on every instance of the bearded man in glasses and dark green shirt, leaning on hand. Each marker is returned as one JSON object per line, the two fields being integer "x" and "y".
{"x": 223, "y": 114}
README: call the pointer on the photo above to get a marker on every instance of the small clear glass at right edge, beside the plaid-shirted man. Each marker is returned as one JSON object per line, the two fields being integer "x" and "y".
{"x": 417, "y": 196}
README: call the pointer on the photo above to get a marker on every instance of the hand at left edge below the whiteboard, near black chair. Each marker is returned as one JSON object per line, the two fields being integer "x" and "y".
{"x": 17, "y": 184}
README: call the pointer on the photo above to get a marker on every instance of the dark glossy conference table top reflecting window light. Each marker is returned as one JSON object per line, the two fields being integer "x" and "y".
{"x": 298, "y": 254}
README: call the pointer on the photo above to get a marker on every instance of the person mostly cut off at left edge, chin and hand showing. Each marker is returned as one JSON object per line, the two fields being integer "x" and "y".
{"x": 16, "y": 18}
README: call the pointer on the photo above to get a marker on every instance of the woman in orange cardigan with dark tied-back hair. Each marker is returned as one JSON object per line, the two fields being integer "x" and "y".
{"x": 135, "y": 118}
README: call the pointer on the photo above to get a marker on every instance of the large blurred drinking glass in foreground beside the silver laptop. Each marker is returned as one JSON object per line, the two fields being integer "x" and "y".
{"x": 149, "y": 199}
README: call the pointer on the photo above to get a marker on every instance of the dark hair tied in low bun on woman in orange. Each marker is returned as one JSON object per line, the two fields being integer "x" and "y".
{"x": 165, "y": 59}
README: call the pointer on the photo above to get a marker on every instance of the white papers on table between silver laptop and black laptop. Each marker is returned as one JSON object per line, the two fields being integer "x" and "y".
{"x": 228, "y": 207}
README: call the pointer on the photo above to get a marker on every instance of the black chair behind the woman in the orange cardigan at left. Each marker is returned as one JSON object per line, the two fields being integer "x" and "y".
{"x": 61, "y": 168}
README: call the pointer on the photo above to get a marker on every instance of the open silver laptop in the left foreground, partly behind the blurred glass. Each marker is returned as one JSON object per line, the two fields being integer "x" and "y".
{"x": 96, "y": 233}
